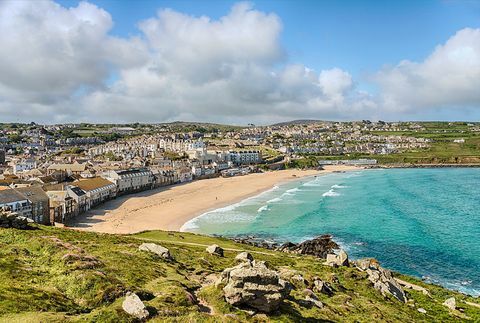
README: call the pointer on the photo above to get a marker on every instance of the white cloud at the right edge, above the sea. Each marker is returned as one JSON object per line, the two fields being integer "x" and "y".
{"x": 448, "y": 78}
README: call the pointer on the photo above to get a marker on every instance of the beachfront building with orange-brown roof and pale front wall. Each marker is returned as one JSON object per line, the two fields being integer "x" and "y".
{"x": 97, "y": 189}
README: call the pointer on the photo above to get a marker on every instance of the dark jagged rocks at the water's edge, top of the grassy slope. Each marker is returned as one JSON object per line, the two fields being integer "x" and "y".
{"x": 319, "y": 247}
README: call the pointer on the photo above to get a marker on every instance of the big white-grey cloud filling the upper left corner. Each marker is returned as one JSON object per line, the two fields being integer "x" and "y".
{"x": 50, "y": 54}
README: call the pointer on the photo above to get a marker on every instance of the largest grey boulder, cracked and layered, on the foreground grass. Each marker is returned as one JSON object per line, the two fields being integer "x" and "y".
{"x": 252, "y": 284}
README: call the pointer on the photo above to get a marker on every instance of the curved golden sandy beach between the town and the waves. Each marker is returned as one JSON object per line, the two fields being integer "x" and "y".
{"x": 170, "y": 207}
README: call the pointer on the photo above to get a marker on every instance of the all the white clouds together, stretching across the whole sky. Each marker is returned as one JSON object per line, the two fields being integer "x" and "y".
{"x": 61, "y": 64}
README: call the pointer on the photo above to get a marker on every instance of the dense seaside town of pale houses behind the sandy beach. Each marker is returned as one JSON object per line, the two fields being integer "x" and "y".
{"x": 52, "y": 173}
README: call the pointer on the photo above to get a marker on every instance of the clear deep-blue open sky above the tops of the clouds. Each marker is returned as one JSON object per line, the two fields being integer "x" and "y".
{"x": 358, "y": 36}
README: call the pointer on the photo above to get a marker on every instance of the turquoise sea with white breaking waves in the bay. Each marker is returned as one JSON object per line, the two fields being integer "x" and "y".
{"x": 422, "y": 222}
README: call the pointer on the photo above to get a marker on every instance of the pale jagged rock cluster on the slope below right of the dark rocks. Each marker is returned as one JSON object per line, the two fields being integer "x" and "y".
{"x": 381, "y": 278}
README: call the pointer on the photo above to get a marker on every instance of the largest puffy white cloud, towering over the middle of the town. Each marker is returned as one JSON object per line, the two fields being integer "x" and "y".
{"x": 222, "y": 70}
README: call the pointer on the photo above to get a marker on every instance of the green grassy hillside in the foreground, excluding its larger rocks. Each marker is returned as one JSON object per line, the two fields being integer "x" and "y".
{"x": 50, "y": 274}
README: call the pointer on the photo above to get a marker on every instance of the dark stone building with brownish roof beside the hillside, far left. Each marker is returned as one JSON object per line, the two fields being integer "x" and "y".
{"x": 39, "y": 202}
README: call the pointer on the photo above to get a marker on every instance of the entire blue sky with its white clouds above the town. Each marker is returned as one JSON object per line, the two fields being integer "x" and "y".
{"x": 238, "y": 62}
